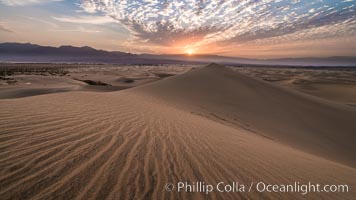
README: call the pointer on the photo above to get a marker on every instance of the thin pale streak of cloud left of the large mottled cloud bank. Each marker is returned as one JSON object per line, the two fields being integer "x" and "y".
{"x": 86, "y": 19}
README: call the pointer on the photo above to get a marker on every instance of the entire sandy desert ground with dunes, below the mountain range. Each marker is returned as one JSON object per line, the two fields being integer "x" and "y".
{"x": 125, "y": 132}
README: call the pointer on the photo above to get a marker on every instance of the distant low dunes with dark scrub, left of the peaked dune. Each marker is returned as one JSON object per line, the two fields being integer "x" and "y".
{"x": 24, "y": 80}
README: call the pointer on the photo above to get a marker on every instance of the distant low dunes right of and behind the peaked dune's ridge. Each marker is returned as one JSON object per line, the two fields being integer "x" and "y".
{"x": 333, "y": 84}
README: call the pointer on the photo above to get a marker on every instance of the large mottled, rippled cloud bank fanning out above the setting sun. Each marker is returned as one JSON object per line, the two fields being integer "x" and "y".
{"x": 203, "y": 22}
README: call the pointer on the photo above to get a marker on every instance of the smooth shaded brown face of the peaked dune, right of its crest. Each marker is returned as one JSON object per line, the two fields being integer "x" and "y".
{"x": 308, "y": 123}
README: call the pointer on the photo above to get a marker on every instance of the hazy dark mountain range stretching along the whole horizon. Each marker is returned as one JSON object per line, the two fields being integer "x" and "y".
{"x": 27, "y": 52}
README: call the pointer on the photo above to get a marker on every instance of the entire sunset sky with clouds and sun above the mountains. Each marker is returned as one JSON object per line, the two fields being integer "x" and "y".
{"x": 240, "y": 28}
